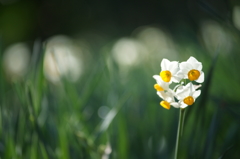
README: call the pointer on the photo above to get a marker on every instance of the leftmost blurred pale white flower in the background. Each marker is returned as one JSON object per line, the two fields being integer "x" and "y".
{"x": 16, "y": 60}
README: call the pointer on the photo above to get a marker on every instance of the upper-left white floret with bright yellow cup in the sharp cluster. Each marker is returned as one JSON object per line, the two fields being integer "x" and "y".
{"x": 169, "y": 71}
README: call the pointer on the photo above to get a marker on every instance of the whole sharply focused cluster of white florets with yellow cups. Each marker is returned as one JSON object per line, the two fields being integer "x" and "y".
{"x": 183, "y": 74}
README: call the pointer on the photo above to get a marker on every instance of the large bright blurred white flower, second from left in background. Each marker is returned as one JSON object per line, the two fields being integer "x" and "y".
{"x": 62, "y": 60}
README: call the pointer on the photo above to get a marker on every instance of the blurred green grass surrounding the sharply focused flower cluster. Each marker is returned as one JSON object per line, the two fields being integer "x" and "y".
{"x": 40, "y": 119}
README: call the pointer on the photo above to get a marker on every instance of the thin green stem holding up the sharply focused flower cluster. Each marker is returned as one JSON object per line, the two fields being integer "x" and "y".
{"x": 179, "y": 132}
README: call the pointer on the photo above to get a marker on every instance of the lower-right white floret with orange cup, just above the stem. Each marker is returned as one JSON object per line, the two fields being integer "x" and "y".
{"x": 187, "y": 95}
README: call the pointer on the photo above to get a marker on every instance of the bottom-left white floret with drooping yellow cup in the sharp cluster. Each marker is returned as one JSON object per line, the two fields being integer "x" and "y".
{"x": 168, "y": 99}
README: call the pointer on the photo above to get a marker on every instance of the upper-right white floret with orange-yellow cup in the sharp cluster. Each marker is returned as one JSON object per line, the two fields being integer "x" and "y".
{"x": 192, "y": 70}
